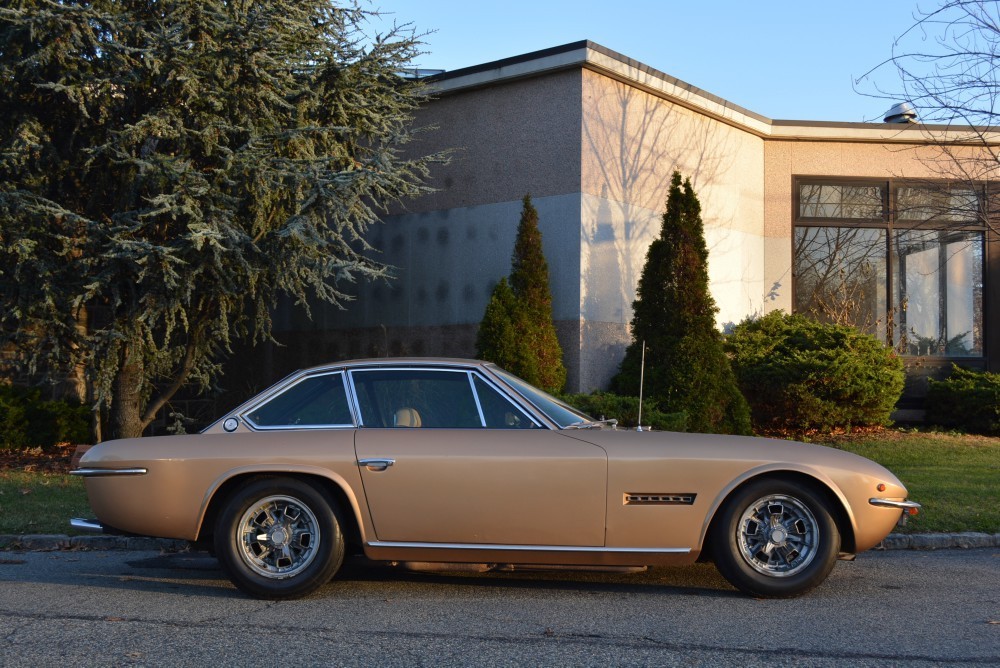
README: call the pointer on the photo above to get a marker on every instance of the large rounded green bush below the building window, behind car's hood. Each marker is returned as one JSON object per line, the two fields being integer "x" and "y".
{"x": 801, "y": 374}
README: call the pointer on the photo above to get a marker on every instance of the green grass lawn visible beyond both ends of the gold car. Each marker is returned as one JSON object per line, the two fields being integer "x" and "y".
{"x": 955, "y": 477}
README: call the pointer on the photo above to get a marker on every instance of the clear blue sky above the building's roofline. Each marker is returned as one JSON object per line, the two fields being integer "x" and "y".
{"x": 786, "y": 60}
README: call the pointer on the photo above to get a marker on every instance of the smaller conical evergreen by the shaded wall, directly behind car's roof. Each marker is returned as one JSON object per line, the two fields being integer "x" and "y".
{"x": 517, "y": 331}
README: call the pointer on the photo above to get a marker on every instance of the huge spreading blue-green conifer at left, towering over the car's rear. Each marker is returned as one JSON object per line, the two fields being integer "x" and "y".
{"x": 170, "y": 169}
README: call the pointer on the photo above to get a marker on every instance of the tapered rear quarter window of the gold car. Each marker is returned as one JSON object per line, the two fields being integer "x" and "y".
{"x": 313, "y": 401}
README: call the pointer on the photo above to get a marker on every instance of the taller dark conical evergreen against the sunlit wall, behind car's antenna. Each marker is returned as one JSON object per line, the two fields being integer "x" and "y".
{"x": 674, "y": 313}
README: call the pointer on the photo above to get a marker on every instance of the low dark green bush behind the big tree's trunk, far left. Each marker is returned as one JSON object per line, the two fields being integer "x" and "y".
{"x": 26, "y": 420}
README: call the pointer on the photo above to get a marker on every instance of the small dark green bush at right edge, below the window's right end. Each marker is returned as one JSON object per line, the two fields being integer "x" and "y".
{"x": 967, "y": 400}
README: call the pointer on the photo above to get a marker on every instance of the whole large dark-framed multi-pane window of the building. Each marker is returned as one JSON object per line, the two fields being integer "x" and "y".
{"x": 900, "y": 260}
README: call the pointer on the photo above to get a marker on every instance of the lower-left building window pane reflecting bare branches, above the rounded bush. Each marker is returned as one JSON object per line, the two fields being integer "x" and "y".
{"x": 840, "y": 276}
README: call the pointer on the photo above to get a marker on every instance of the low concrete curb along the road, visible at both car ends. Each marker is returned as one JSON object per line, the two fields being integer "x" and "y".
{"x": 57, "y": 542}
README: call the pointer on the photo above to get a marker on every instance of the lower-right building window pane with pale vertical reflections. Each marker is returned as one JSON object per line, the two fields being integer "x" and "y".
{"x": 938, "y": 297}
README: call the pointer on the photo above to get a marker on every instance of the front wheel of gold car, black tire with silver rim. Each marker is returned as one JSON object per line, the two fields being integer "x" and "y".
{"x": 775, "y": 539}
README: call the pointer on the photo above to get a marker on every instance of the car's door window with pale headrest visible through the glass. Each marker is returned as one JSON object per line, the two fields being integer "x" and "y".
{"x": 406, "y": 398}
